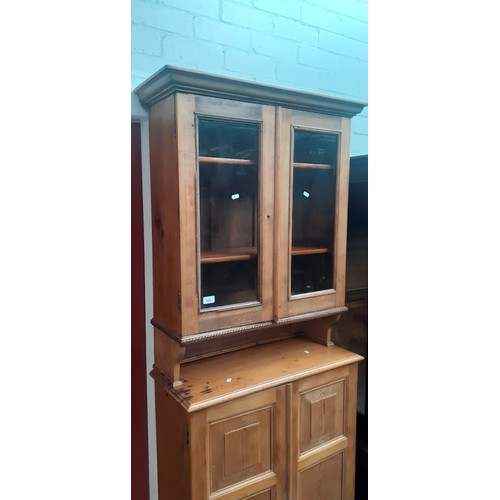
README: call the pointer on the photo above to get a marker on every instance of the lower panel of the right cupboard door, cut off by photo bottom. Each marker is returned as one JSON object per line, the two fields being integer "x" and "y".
{"x": 322, "y": 481}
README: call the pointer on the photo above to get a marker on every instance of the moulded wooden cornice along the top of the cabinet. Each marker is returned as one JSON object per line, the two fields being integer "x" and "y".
{"x": 169, "y": 80}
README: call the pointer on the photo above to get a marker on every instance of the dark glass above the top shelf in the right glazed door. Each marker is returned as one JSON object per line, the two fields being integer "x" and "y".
{"x": 314, "y": 147}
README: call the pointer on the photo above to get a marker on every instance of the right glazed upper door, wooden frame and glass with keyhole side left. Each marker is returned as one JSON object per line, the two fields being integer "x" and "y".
{"x": 312, "y": 176}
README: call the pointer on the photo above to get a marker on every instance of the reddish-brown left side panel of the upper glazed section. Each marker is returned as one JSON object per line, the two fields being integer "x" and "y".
{"x": 165, "y": 214}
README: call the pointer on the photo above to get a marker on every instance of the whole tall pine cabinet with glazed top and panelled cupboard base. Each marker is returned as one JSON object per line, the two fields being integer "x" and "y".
{"x": 249, "y": 192}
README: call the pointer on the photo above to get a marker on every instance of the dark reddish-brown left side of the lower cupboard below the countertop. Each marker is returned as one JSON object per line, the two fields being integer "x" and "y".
{"x": 172, "y": 448}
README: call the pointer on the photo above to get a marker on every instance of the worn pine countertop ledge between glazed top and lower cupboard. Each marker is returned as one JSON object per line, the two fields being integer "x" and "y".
{"x": 218, "y": 379}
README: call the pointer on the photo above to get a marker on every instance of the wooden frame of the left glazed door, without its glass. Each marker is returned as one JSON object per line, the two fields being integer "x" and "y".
{"x": 188, "y": 108}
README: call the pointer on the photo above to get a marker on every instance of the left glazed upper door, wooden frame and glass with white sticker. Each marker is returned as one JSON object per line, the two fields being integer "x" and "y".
{"x": 226, "y": 184}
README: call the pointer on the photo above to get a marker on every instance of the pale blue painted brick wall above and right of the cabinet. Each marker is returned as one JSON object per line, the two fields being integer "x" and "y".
{"x": 314, "y": 45}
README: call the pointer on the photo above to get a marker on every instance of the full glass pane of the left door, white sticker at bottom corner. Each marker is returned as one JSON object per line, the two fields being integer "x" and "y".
{"x": 228, "y": 205}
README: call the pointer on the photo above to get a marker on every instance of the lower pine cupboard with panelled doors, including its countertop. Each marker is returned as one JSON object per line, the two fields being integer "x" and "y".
{"x": 261, "y": 438}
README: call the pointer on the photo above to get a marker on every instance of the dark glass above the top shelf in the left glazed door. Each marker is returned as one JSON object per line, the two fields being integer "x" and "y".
{"x": 227, "y": 140}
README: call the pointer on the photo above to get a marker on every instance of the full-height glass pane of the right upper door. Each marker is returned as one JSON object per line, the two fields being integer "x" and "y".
{"x": 313, "y": 213}
